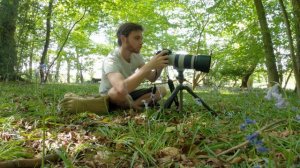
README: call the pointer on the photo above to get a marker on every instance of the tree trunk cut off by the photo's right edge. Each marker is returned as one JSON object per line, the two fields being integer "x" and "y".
{"x": 296, "y": 9}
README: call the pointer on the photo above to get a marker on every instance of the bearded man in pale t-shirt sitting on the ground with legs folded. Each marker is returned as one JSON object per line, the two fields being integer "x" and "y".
{"x": 123, "y": 71}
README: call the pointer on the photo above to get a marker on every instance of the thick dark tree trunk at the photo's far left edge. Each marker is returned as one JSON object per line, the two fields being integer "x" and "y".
{"x": 8, "y": 52}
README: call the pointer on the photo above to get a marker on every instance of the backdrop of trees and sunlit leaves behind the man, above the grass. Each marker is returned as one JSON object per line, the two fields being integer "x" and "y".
{"x": 245, "y": 38}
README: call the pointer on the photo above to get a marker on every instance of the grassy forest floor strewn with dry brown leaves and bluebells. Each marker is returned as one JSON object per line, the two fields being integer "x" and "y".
{"x": 249, "y": 130}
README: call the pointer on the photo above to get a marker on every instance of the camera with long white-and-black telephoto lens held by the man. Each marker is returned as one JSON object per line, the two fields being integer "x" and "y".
{"x": 181, "y": 61}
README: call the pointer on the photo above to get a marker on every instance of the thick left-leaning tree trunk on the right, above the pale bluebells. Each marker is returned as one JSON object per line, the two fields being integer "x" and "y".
{"x": 268, "y": 45}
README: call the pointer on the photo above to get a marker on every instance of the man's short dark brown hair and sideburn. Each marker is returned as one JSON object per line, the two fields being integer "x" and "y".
{"x": 126, "y": 28}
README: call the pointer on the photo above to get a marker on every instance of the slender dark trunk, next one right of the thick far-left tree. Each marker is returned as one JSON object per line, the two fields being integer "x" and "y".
{"x": 47, "y": 42}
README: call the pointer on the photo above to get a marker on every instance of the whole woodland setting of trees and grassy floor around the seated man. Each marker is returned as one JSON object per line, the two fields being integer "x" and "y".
{"x": 51, "y": 47}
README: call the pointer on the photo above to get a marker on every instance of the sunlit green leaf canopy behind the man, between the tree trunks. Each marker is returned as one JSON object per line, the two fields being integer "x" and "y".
{"x": 183, "y": 26}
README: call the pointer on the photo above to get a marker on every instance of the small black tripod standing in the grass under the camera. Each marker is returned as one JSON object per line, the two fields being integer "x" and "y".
{"x": 180, "y": 88}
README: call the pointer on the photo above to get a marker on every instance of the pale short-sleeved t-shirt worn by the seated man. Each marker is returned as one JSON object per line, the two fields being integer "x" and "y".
{"x": 115, "y": 63}
